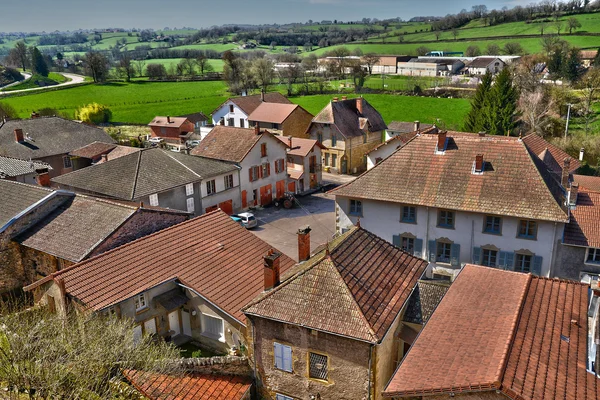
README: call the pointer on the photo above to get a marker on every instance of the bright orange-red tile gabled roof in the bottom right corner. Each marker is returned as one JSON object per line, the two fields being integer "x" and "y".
{"x": 501, "y": 330}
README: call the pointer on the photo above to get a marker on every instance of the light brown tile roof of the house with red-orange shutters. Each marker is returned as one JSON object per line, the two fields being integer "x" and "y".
{"x": 229, "y": 143}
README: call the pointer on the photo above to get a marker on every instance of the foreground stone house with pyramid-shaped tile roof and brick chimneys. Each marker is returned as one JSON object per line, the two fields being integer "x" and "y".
{"x": 331, "y": 328}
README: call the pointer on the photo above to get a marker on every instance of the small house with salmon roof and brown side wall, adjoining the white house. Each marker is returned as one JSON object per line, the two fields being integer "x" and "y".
{"x": 281, "y": 119}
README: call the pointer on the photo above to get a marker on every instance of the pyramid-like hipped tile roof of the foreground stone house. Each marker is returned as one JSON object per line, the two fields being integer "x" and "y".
{"x": 356, "y": 291}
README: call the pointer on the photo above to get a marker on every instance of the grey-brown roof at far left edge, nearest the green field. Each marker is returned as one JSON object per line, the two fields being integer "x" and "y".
{"x": 47, "y": 136}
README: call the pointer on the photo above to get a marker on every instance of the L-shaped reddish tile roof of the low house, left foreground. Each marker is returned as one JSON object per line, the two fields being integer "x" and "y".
{"x": 213, "y": 255}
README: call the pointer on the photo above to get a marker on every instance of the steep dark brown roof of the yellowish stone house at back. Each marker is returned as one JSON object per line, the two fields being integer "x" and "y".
{"x": 345, "y": 116}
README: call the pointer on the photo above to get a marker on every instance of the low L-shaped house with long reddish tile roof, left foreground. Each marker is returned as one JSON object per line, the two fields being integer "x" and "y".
{"x": 186, "y": 281}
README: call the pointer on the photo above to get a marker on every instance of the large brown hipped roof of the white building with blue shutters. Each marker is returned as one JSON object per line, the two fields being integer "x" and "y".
{"x": 422, "y": 177}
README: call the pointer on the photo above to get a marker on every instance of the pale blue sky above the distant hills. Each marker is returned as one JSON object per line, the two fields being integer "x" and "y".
{"x": 62, "y": 15}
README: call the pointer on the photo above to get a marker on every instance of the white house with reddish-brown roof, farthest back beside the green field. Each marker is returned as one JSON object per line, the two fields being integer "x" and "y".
{"x": 235, "y": 111}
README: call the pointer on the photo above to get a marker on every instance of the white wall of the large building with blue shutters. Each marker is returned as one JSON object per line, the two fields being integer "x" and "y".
{"x": 383, "y": 219}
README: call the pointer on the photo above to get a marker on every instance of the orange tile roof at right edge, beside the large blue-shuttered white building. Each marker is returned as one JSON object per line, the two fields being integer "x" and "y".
{"x": 584, "y": 227}
